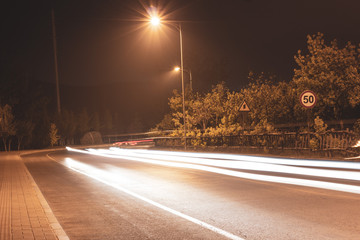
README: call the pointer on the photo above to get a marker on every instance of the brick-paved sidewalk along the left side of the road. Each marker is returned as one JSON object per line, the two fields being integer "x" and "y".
{"x": 24, "y": 212}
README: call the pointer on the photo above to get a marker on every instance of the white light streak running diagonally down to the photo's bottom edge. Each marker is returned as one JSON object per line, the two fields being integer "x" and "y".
{"x": 105, "y": 176}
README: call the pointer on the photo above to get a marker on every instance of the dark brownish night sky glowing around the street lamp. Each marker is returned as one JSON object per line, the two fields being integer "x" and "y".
{"x": 104, "y": 44}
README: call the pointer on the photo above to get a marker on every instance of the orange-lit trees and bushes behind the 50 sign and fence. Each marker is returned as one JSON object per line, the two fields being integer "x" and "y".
{"x": 330, "y": 71}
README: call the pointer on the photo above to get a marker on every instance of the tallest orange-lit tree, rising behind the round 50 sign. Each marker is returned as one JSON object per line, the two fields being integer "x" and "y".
{"x": 332, "y": 73}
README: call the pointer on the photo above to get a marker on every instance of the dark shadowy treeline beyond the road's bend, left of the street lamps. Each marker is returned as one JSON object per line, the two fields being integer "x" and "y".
{"x": 29, "y": 118}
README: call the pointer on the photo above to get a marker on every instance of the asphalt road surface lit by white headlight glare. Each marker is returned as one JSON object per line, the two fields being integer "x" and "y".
{"x": 123, "y": 197}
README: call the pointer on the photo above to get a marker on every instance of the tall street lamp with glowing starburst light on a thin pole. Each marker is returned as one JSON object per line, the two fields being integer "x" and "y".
{"x": 155, "y": 21}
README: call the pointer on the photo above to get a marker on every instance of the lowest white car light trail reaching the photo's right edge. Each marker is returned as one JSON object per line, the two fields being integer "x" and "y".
{"x": 259, "y": 177}
